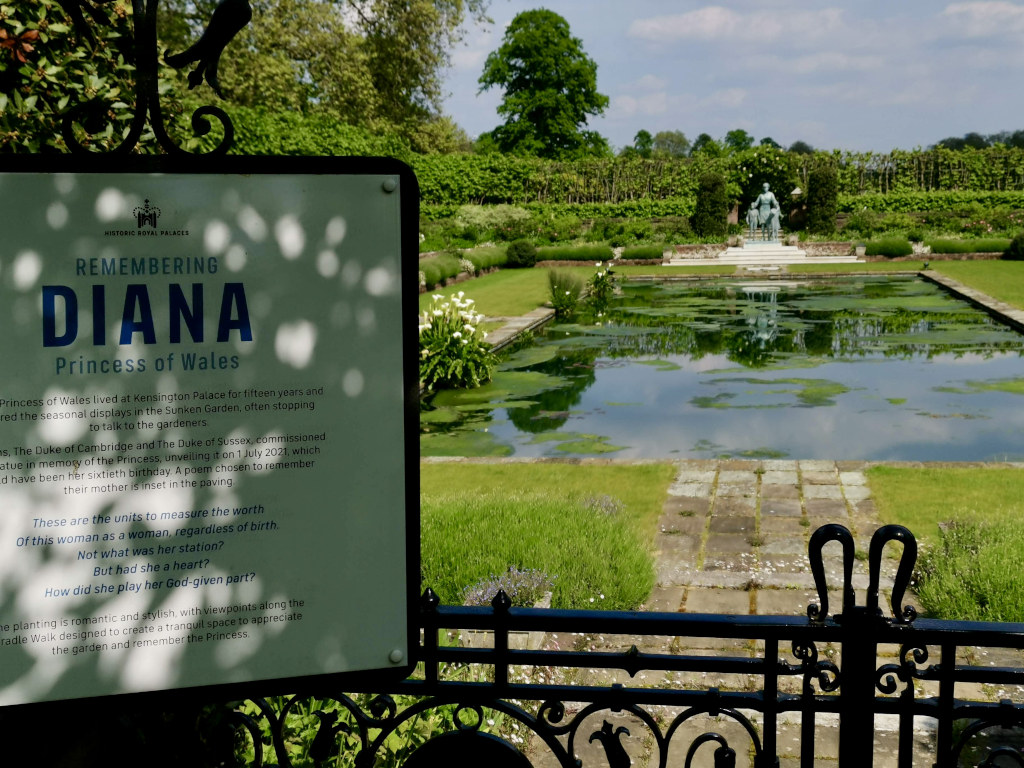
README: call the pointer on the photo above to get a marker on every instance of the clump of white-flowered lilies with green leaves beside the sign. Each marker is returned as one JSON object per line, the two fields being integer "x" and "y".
{"x": 453, "y": 353}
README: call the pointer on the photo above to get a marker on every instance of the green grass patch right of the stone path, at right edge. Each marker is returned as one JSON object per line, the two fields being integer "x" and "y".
{"x": 970, "y": 570}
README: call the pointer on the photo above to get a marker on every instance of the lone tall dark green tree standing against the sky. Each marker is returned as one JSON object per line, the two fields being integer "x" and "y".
{"x": 550, "y": 88}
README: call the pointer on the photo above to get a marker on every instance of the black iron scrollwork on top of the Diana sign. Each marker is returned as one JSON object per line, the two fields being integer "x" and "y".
{"x": 228, "y": 20}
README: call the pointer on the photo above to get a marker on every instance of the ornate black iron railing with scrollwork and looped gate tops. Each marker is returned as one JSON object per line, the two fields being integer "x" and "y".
{"x": 796, "y": 678}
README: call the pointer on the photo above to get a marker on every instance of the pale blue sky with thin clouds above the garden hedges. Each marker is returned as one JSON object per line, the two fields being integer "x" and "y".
{"x": 861, "y": 76}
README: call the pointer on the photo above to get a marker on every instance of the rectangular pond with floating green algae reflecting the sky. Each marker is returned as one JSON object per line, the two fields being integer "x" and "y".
{"x": 869, "y": 368}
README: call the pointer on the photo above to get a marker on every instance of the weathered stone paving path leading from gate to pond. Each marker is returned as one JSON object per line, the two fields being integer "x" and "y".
{"x": 733, "y": 539}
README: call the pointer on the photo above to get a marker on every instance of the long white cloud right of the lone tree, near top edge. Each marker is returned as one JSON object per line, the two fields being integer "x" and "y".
{"x": 715, "y": 23}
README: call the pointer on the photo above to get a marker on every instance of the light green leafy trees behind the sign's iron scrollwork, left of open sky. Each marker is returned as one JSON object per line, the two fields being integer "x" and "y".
{"x": 374, "y": 64}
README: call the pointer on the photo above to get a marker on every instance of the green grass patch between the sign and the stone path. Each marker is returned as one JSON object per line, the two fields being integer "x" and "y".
{"x": 479, "y": 520}
